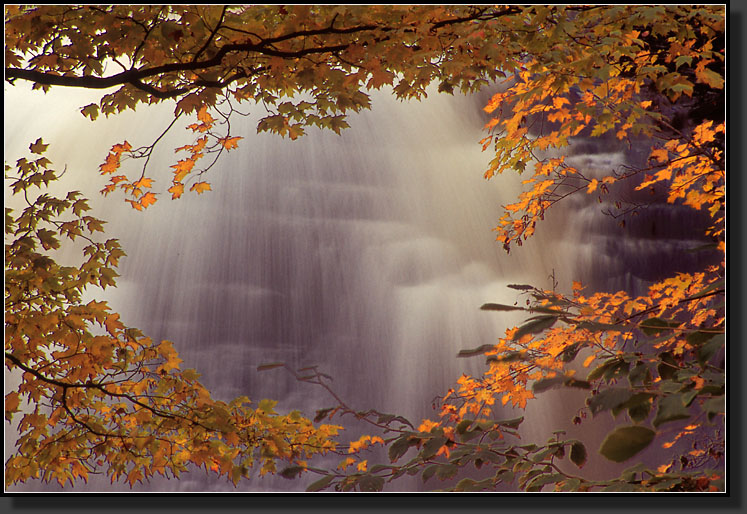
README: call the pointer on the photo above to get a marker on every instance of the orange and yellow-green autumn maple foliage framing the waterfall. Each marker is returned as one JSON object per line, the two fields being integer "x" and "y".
{"x": 97, "y": 394}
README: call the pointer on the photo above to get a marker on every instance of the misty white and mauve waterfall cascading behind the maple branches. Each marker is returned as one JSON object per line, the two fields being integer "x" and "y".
{"x": 367, "y": 254}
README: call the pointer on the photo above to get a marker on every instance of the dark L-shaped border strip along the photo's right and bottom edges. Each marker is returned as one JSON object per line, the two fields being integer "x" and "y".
{"x": 457, "y": 502}
